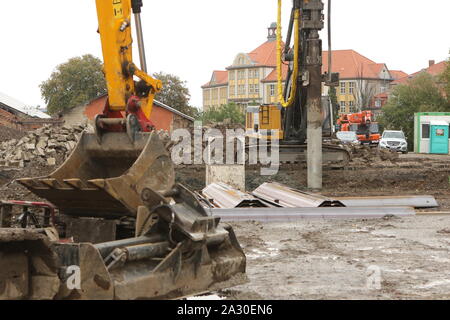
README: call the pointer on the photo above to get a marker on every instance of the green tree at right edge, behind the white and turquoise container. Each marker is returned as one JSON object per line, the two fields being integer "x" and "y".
{"x": 421, "y": 94}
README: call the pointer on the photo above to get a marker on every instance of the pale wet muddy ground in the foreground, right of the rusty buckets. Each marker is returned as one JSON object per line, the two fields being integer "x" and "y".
{"x": 334, "y": 259}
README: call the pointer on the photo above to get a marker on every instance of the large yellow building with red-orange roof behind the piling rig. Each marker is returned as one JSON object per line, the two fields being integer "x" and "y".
{"x": 252, "y": 78}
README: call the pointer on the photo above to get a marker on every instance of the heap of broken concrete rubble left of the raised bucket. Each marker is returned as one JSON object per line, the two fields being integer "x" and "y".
{"x": 46, "y": 146}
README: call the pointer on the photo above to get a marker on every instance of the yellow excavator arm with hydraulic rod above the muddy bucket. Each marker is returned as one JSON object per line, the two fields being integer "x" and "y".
{"x": 114, "y": 17}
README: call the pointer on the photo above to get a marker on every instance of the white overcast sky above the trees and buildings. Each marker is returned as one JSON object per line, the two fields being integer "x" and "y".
{"x": 193, "y": 38}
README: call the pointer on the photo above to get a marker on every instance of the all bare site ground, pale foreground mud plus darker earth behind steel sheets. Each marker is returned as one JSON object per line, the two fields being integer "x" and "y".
{"x": 332, "y": 259}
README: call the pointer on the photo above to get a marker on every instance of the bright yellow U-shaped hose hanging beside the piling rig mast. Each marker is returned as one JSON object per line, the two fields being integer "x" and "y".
{"x": 293, "y": 92}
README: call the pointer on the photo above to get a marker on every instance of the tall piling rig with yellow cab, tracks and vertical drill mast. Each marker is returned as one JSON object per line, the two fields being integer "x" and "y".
{"x": 301, "y": 118}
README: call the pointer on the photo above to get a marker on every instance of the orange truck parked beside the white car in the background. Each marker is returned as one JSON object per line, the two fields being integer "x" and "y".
{"x": 362, "y": 123}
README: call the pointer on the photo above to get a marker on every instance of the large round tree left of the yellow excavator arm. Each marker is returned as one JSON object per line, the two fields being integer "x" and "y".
{"x": 74, "y": 83}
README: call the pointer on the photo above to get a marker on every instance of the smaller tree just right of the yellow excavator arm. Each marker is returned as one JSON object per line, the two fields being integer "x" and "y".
{"x": 174, "y": 93}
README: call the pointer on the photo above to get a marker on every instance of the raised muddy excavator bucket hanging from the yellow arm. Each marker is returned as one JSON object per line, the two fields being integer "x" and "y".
{"x": 104, "y": 177}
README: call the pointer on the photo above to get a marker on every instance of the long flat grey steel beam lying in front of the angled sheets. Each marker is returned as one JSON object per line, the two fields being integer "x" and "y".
{"x": 294, "y": 214}
